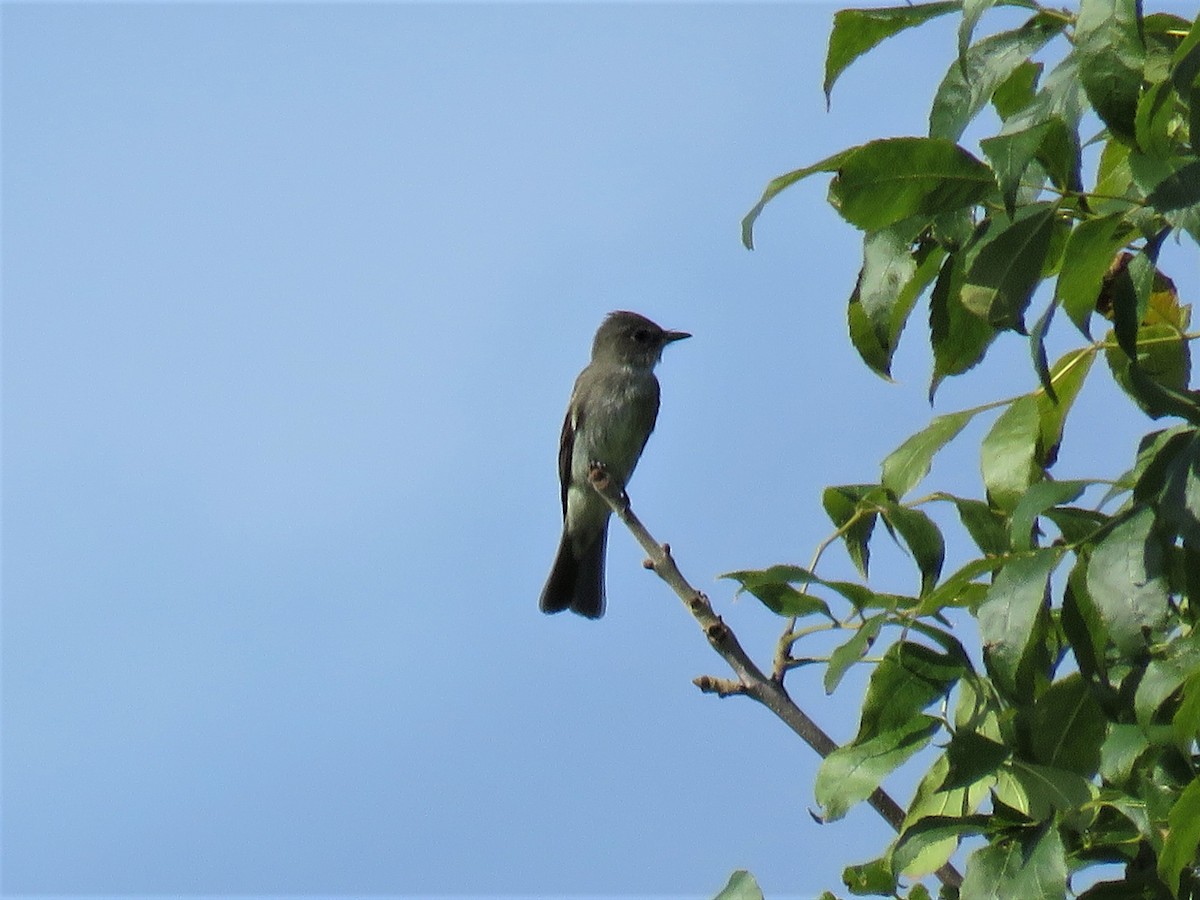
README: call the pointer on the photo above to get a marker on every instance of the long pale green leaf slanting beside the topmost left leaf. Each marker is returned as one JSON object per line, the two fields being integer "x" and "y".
{"x": 973, "y": 80}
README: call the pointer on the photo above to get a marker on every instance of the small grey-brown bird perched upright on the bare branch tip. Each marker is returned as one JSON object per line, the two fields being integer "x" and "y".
{"x": 613, "y": 413}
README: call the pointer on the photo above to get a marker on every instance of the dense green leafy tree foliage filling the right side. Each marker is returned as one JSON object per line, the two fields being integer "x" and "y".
{"x": 1076, "y": 742}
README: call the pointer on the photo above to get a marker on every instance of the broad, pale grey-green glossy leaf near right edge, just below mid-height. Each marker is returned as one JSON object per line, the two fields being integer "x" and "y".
{"x": 1127, "y": 580}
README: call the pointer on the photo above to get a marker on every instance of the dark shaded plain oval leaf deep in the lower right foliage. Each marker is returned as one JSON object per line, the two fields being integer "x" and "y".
{"x": 1069, "y": 728}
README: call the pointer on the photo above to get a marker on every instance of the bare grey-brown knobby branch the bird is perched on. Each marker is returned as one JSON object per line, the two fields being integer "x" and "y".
{"x": 751, "y": 680}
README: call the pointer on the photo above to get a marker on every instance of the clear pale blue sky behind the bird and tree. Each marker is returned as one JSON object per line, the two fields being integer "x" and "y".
{"x": 293, "y": 301}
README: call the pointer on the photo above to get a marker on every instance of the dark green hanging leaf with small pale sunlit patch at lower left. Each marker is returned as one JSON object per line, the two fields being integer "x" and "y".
{"x": 1009, "y": 267}
